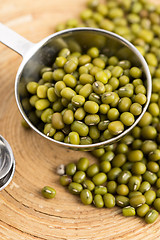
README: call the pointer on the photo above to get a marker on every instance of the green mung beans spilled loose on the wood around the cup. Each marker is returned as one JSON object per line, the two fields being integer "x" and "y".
{"x": 128, "y": 172}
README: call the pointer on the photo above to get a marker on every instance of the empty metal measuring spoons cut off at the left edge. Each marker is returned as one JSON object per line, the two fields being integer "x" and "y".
{"x": 7, "y": 163}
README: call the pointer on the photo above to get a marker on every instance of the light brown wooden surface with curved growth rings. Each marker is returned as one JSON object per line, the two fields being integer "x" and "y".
{"x": 24, "y": 213}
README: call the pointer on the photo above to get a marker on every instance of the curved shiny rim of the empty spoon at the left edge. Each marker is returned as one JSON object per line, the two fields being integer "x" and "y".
{"x": 12, "y": 169}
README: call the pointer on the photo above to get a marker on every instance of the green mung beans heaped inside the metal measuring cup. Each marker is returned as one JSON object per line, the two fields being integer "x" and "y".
{"x": 87, "y": 98}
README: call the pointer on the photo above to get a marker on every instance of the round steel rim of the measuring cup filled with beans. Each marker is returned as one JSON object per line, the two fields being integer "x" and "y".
{"x": 88, "y": 147}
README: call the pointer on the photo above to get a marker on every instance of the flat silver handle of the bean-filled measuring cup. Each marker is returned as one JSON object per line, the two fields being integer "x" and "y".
{"x": 14, "y": 41}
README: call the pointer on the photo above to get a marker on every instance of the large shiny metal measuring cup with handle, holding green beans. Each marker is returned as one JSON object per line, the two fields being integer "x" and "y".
{"x": 35, "y": 56}
